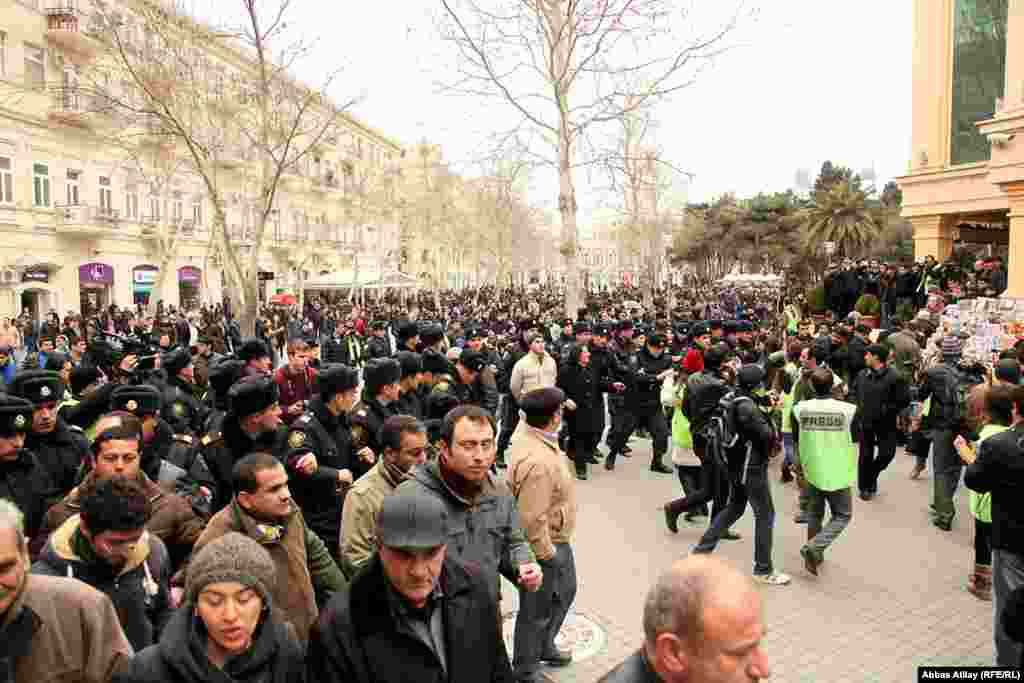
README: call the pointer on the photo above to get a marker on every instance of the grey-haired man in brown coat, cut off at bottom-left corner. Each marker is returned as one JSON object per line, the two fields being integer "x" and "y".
{"x": 56, "y": 629}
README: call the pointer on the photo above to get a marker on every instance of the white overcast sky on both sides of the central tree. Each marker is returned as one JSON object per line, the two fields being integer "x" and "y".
{"x": 810, "y": 80}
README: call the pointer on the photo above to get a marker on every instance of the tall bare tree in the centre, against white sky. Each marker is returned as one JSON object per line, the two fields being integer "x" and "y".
{"x": 569, "y": 68}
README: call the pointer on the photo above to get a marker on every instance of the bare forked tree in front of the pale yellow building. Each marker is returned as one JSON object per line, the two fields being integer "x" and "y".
{"x": 225, "y": 102}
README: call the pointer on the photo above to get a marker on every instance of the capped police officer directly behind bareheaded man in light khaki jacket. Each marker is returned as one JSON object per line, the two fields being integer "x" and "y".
{"x": 379, "y": 402}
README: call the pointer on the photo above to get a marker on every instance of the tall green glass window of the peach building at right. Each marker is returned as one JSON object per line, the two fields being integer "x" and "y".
{"x": 979, "y": 74}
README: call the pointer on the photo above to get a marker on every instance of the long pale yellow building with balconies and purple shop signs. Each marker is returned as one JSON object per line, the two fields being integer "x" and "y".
{"x": 86, "y": 225}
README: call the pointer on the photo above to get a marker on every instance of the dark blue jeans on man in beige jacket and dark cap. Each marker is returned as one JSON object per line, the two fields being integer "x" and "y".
{"x": 542, "y": 614}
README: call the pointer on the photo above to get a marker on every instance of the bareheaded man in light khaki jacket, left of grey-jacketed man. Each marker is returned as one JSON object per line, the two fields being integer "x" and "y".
{"x": 405, "y": 442}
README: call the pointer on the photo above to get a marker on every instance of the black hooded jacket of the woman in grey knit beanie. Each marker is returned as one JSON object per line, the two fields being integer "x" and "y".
{"x": 274, "y": 657}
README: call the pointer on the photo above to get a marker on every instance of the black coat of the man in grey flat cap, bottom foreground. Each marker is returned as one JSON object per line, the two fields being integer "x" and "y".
{"x": 357, "y": 638}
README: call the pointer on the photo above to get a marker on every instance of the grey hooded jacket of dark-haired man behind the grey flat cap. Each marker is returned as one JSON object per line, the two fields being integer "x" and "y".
{"x": 485, "y": 532}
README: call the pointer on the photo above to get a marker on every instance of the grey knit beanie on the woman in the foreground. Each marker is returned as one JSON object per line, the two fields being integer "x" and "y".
{"x": 234, "y": 558}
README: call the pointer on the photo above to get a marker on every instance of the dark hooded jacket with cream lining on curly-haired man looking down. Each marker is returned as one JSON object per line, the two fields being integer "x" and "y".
{"x": 140, "y": 590}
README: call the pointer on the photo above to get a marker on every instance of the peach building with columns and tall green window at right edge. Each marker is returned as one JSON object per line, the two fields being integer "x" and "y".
{"x": 965, "y": 182}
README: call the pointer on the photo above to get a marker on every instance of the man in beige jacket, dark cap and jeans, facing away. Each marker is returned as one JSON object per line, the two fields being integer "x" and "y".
{"x": 545, "y": 492}
